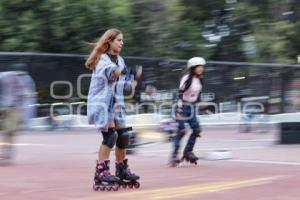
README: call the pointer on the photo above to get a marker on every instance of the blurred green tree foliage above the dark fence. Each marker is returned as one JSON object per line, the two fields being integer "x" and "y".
{"x": 218, "y": 30}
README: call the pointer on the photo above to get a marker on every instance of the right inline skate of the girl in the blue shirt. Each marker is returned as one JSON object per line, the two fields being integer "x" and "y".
{"x": 127, "y": 179}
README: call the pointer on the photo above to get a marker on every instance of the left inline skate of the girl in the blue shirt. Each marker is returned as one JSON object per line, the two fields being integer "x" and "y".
{"x": 103, "y": 179}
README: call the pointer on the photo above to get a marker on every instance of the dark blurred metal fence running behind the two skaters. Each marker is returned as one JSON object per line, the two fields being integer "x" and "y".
{"x": 62, "y": 79}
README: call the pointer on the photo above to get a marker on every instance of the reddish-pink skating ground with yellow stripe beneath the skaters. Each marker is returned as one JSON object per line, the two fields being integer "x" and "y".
{"x": 60, "y": 166}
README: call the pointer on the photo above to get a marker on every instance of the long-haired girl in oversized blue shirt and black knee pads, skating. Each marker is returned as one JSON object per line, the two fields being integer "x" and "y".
{"x": 106, "y": 109}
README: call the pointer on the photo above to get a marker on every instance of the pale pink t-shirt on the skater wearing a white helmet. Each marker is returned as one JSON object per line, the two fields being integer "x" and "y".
{"x": 191, "y": 94}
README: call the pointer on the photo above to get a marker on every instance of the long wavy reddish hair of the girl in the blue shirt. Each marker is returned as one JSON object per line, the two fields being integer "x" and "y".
{"x": 101, "y": 46}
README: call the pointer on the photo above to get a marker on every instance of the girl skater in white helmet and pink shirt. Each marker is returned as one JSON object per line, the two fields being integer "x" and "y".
{"x": 189, "y": 92}
